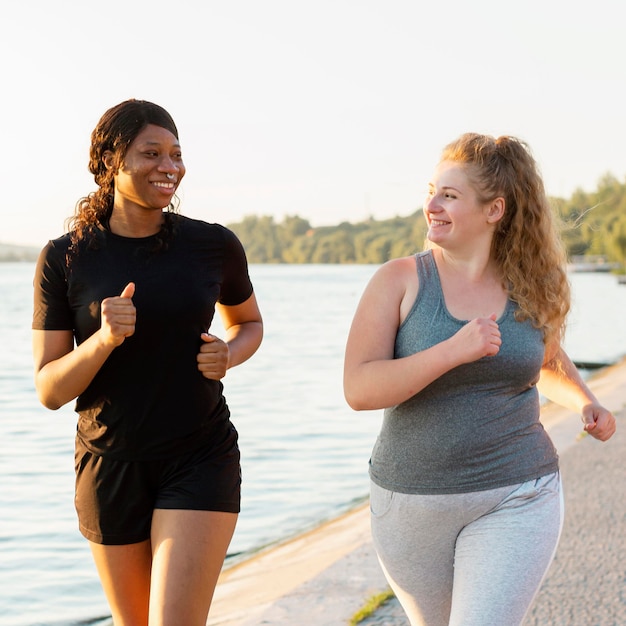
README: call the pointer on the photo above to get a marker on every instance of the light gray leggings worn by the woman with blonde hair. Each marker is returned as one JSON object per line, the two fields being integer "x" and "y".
{"x": 471, "y": 559}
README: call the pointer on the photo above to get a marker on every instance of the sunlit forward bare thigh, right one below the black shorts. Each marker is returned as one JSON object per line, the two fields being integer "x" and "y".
{"x": 188, "y": 549}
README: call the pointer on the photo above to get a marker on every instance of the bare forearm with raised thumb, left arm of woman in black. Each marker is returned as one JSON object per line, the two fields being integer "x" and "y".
{"x": 62, "y": 372}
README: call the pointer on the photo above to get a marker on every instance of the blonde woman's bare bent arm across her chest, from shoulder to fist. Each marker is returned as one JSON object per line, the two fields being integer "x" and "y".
{"x": 373, "y": 379}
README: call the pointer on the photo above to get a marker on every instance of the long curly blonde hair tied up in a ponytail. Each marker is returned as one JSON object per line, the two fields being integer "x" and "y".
{"x": 526, "y": 245}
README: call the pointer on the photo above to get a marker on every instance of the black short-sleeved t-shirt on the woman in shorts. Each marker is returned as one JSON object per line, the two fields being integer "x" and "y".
{"x": 148, "y": 400}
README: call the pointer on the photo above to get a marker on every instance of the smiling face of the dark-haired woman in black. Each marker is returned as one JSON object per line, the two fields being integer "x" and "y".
{"x": 151, "y": 171}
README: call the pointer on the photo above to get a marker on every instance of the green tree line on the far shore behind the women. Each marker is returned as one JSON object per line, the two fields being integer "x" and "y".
{"x": 591, "y": 224}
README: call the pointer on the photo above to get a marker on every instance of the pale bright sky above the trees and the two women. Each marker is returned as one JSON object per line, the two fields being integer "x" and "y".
{"x": 333, "y": 110}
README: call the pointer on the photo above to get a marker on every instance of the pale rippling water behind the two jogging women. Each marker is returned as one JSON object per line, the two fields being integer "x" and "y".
{"x": 304, "y": 452}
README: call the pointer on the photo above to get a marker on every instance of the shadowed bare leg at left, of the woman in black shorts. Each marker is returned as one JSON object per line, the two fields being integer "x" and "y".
{"x": 125, "y": 576}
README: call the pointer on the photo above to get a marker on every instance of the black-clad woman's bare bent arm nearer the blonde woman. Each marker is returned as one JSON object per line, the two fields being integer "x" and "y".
{"x": 243, "y": 325}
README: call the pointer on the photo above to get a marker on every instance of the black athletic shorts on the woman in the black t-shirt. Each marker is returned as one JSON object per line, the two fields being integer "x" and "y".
{"x": 115, "y": 498}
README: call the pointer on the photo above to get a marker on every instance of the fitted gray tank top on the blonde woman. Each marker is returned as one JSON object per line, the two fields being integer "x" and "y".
{"x": 477, "y": 426}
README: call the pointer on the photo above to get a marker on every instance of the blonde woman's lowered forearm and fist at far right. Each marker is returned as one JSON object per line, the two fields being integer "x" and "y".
{"x": 561, "y": 382}
